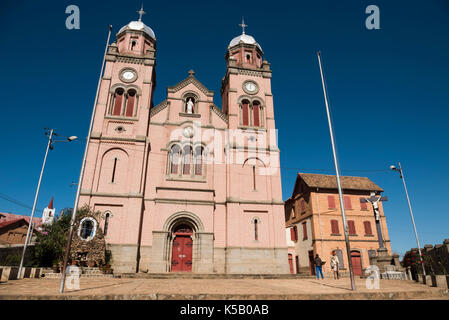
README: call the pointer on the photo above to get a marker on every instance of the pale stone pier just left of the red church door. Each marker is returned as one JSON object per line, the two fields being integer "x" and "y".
{"x": 159, "y": 252}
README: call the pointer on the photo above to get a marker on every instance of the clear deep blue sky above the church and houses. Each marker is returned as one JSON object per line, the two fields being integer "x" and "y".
{"x": 388, "y": 90}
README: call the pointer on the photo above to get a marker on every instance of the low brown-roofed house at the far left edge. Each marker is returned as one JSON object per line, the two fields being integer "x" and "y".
{"x": 13, "y": 228}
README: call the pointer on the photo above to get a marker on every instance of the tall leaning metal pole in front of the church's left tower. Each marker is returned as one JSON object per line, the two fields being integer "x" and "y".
{"x": 80, "y": 180}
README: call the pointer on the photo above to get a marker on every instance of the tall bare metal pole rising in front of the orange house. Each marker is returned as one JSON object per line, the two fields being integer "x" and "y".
{"x": 337, "y": 170}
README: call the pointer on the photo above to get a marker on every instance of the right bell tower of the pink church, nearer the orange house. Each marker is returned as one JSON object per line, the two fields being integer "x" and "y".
{"x": 254, "y": 206}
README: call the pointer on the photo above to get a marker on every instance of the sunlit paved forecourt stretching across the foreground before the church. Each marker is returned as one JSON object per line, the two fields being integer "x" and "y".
{"x": 193, "y": 289}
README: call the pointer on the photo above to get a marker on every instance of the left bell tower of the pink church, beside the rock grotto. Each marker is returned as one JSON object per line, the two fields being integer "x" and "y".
{"x": 114, "y": 178}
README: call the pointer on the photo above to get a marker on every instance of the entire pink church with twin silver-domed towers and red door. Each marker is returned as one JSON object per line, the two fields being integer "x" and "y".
{"x": 184, "y": 185}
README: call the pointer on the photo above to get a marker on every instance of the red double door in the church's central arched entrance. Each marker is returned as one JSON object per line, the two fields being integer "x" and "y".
{"x": 182, "y": 248}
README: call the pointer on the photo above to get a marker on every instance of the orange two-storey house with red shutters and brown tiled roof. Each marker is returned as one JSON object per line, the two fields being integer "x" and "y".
{"x": 314, "y": 221}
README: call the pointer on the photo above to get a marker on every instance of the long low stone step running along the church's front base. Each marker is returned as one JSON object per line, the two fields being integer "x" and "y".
{"x": 189, "y": 275}
